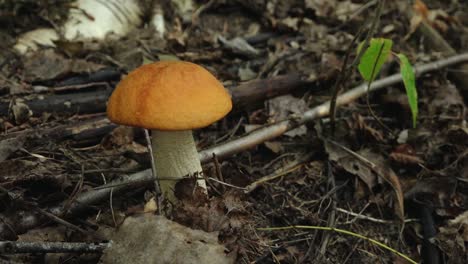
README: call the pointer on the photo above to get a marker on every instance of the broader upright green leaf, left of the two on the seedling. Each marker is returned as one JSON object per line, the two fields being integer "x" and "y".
{"x": 374, "y": 57}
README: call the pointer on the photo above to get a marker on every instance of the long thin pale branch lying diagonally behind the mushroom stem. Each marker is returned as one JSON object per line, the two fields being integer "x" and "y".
{"x": 28, "y": 220}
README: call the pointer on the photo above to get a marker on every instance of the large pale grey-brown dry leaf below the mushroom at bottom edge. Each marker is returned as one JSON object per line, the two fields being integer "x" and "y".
{"x": 155, "y": 239}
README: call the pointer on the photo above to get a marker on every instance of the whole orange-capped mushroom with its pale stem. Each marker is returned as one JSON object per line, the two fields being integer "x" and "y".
{"x": 170, "y": 98}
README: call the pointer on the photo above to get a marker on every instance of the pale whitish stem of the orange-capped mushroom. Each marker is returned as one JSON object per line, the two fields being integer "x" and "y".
{"x": 175, "y": 157}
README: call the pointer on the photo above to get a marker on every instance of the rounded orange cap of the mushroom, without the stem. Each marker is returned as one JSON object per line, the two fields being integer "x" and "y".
{"x": 169, "y": 95}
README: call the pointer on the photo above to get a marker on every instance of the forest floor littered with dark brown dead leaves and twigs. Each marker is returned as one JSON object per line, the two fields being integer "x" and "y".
{"x": 375, "y": 176}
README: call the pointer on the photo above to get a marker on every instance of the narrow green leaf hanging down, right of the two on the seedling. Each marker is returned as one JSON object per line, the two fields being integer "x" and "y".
{"x": 409, "y": 81}
